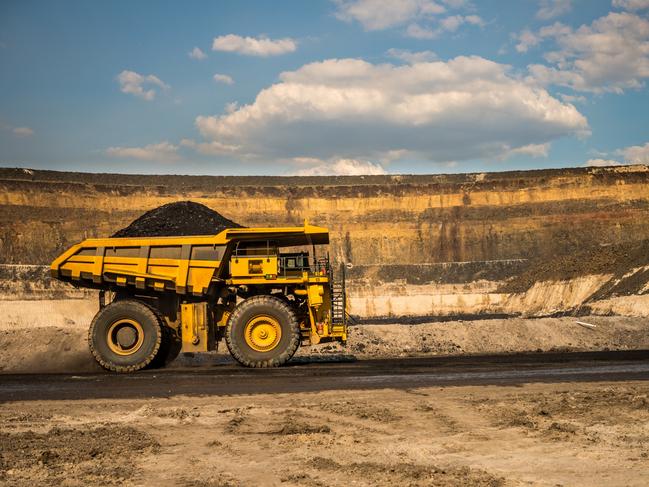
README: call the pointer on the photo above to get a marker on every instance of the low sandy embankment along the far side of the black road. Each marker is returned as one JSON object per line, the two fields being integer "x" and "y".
{"x": 51, "y": 336}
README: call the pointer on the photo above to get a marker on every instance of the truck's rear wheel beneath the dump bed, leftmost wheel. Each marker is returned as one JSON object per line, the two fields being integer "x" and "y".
{"x": 141, "y": 324}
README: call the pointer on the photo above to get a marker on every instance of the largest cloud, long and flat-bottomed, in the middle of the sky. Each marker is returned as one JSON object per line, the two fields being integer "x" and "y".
{"x": 465, "y": 108}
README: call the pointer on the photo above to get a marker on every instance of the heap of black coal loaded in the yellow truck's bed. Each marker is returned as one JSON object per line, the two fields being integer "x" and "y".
{"x": 180, "y": 218}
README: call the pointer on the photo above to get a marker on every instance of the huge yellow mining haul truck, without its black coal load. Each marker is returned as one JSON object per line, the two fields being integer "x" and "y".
{"x": 260, "y": 289}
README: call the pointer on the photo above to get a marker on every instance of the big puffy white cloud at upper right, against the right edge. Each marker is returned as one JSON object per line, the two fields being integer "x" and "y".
{"x": 610, "y": 55}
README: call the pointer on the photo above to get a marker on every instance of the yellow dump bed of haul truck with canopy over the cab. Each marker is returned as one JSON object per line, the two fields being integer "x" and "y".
{"x": 185, "y": 265}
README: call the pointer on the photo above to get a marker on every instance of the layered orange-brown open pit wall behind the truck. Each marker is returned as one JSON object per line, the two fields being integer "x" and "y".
{"x": 419, "y": 245}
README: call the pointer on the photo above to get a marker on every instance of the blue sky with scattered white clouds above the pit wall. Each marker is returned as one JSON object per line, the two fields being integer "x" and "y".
{"x": 323, "y": 87}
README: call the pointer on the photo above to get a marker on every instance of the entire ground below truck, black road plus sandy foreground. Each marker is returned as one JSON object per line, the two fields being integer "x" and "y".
{"x": 531, "y": 419}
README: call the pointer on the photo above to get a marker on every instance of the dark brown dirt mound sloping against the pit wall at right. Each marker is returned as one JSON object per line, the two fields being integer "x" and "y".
{"x": 618, "y": 260}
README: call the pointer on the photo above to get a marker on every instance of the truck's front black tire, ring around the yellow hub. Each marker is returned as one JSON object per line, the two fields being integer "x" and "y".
{"x": 255, "y": 308}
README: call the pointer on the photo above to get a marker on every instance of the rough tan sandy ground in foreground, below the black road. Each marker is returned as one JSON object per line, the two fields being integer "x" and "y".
{"x": 537, "y": 434}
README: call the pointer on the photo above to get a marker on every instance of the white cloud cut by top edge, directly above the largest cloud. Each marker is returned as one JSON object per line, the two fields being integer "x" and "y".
{"x": 384, "y": 14}
